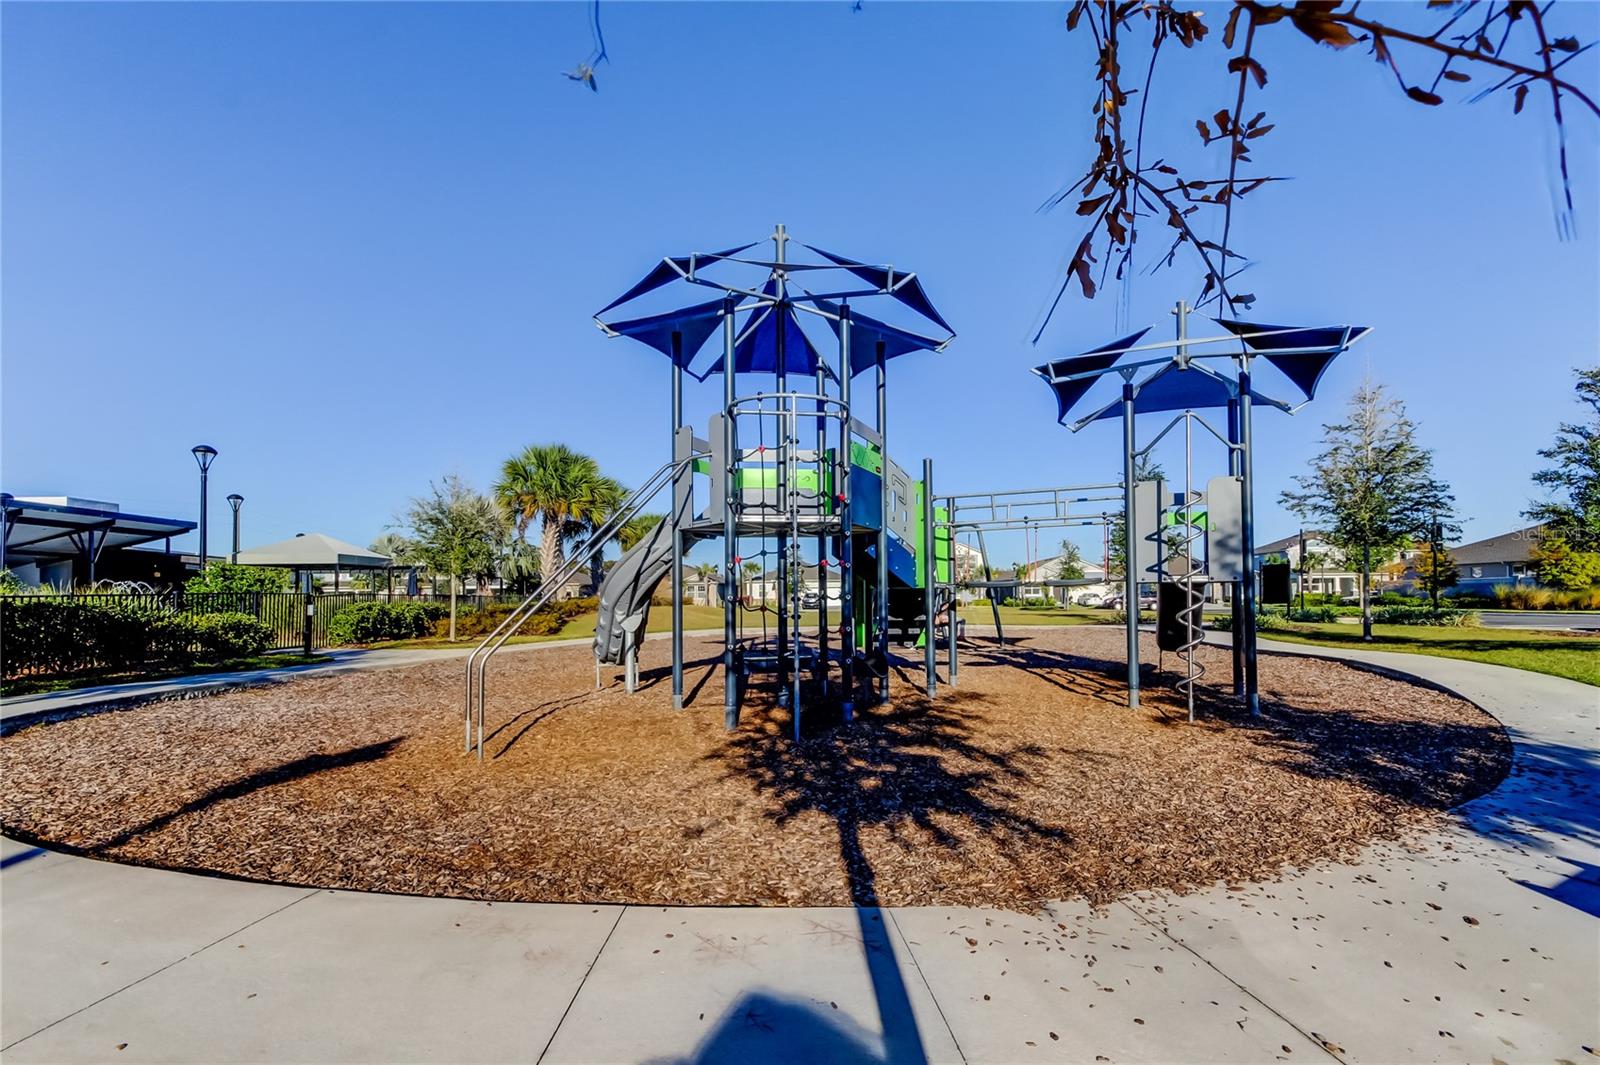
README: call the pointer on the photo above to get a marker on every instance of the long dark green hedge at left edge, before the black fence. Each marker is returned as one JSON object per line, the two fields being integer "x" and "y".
{"x": 63, "y": 637}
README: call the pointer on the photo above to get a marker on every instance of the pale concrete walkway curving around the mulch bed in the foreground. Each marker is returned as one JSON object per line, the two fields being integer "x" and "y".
{"x": 1476, "y": 946}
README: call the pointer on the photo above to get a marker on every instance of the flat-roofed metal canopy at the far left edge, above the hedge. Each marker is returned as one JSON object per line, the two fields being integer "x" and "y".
{"x": 49, "y": 532}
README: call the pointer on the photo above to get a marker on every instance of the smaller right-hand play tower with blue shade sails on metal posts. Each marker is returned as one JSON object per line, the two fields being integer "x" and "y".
{"x": 1170, "y": 377}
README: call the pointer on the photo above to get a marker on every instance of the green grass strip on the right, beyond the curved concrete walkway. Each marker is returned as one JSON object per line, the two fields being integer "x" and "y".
{"x": 1577, "y": 658}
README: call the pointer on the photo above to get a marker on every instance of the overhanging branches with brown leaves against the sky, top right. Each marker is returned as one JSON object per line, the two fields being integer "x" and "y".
{"x": 1508, "y": 44}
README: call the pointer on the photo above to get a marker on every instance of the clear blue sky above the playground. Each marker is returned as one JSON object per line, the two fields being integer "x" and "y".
{"x": 356, "y": 247}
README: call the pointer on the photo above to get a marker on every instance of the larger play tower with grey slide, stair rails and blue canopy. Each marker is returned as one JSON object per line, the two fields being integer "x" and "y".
{"x": 783, "y": 473}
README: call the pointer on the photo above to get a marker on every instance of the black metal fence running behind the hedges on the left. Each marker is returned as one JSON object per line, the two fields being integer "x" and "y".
{"x": 282, "y": 612}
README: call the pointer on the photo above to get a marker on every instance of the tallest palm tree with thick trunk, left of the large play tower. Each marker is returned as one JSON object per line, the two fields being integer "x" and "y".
{"x": 559, "y": 489}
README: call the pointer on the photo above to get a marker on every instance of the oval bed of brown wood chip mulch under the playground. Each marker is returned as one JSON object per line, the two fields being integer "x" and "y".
{"x": 1028, "y": 783}
